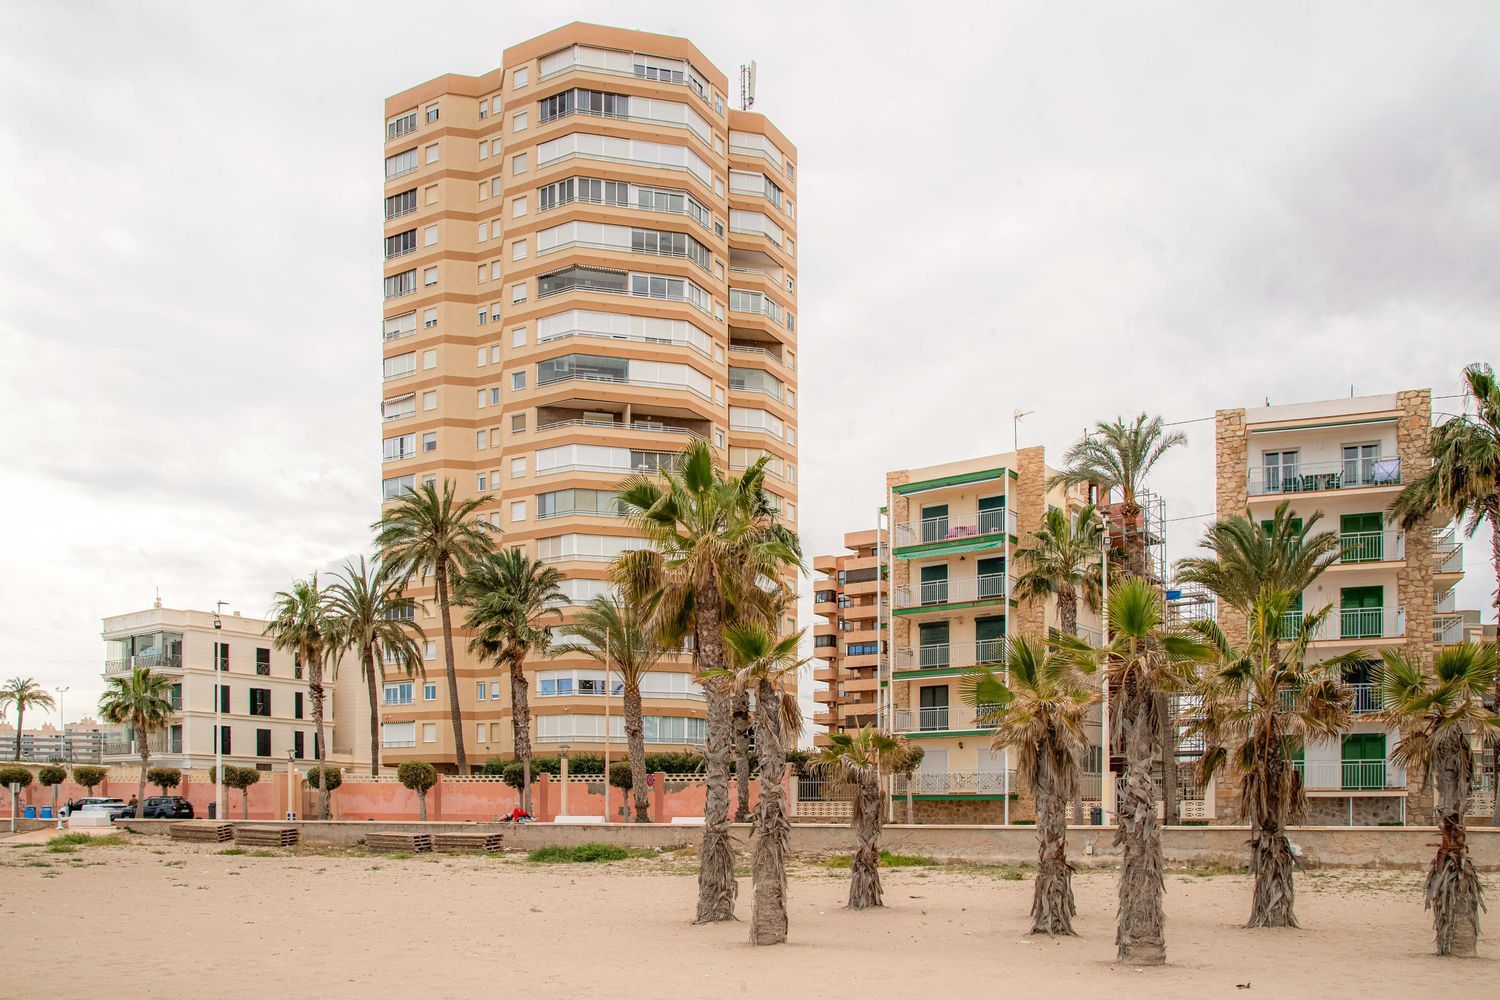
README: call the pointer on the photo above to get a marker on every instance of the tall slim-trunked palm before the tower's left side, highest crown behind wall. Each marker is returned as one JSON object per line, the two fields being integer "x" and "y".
{"x": 425, "y": 531}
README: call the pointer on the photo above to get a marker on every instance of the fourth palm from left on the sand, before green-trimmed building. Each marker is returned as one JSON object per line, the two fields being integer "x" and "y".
{"x": 1039, "y": 708}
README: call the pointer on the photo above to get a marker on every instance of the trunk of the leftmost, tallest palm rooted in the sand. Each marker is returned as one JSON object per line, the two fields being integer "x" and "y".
{"x": 716, "y": 857}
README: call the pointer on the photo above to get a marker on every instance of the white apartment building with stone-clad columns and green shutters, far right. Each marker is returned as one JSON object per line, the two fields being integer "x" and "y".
{"x": 1391, "y": 588}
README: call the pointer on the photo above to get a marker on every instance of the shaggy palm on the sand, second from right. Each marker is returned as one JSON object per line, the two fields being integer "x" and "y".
{"x": 1261, "y": 705}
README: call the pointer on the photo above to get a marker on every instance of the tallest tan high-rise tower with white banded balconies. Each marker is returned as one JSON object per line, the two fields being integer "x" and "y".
{"x": 590, "y": 262}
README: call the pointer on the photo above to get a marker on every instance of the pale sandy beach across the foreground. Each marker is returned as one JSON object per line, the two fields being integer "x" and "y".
{"x": 344, "y": 924}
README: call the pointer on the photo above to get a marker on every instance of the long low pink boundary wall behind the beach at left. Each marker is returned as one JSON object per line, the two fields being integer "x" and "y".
{"x": 458, "y": 800}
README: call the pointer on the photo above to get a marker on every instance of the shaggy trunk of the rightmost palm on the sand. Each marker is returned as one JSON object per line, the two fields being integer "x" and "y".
{"x": 1453, "y": 885}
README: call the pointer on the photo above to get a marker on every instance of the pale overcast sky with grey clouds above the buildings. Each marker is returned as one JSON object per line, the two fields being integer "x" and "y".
{"x": 1076, "y": 212}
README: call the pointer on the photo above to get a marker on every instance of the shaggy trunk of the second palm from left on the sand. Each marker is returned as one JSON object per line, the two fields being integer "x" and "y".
{"x": 773, "y": 830}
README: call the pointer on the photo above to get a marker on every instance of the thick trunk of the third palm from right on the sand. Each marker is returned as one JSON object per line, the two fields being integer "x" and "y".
{"x": 1139, "y": 935}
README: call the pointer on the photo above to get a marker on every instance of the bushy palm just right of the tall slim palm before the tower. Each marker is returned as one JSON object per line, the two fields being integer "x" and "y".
{"x": 511, "y": 596}
